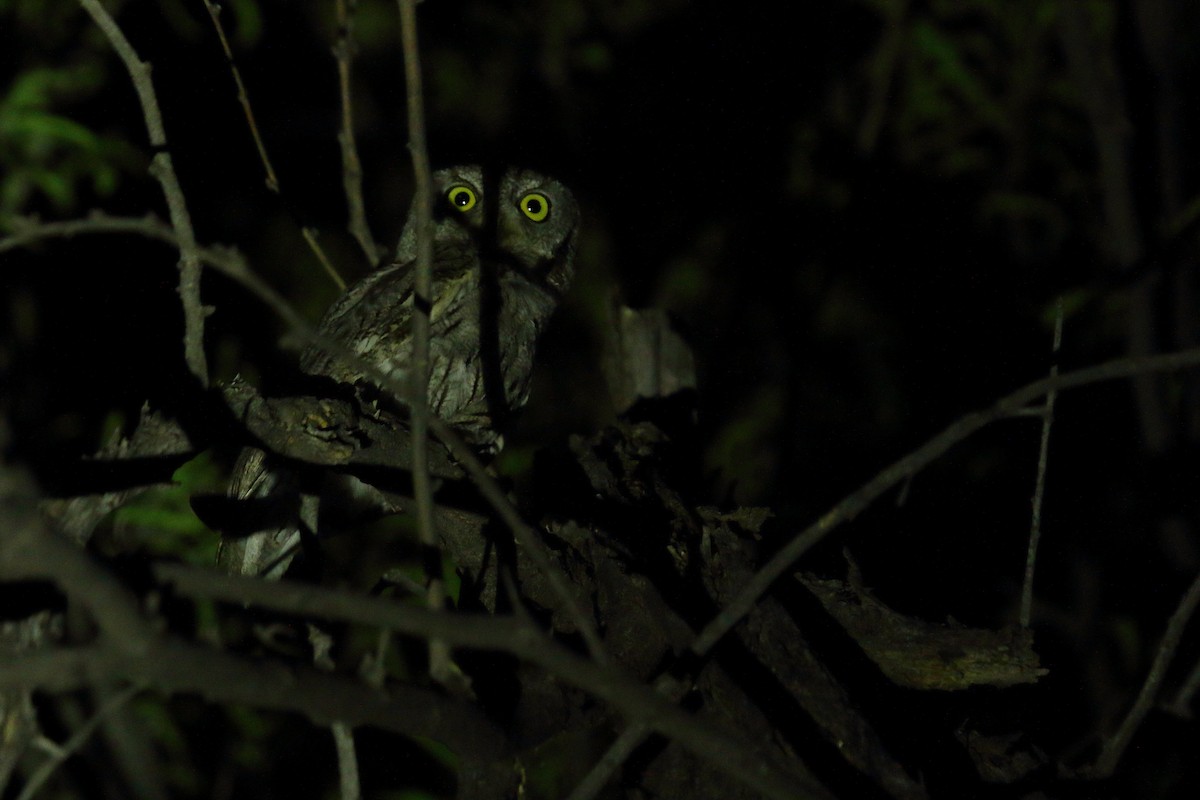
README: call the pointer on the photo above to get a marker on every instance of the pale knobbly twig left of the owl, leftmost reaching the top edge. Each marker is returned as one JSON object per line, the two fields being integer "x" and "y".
{"x": 163, "y": 170}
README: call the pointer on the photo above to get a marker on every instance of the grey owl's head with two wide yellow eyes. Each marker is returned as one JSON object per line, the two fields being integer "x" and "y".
{"x": 517, "y": 218}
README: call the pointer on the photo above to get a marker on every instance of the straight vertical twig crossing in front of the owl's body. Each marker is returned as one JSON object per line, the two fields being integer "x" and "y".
{"x": 441, "y": 665}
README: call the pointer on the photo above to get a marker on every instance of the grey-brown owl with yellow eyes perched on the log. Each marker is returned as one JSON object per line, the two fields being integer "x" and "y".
{"x": 503, "y": 257}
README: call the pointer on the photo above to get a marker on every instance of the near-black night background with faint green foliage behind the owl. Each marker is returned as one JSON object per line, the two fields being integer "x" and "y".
{"x": 861, "y": 214}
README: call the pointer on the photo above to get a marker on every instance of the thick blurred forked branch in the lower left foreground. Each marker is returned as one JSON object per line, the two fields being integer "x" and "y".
{"x": 131, "y": 648}
